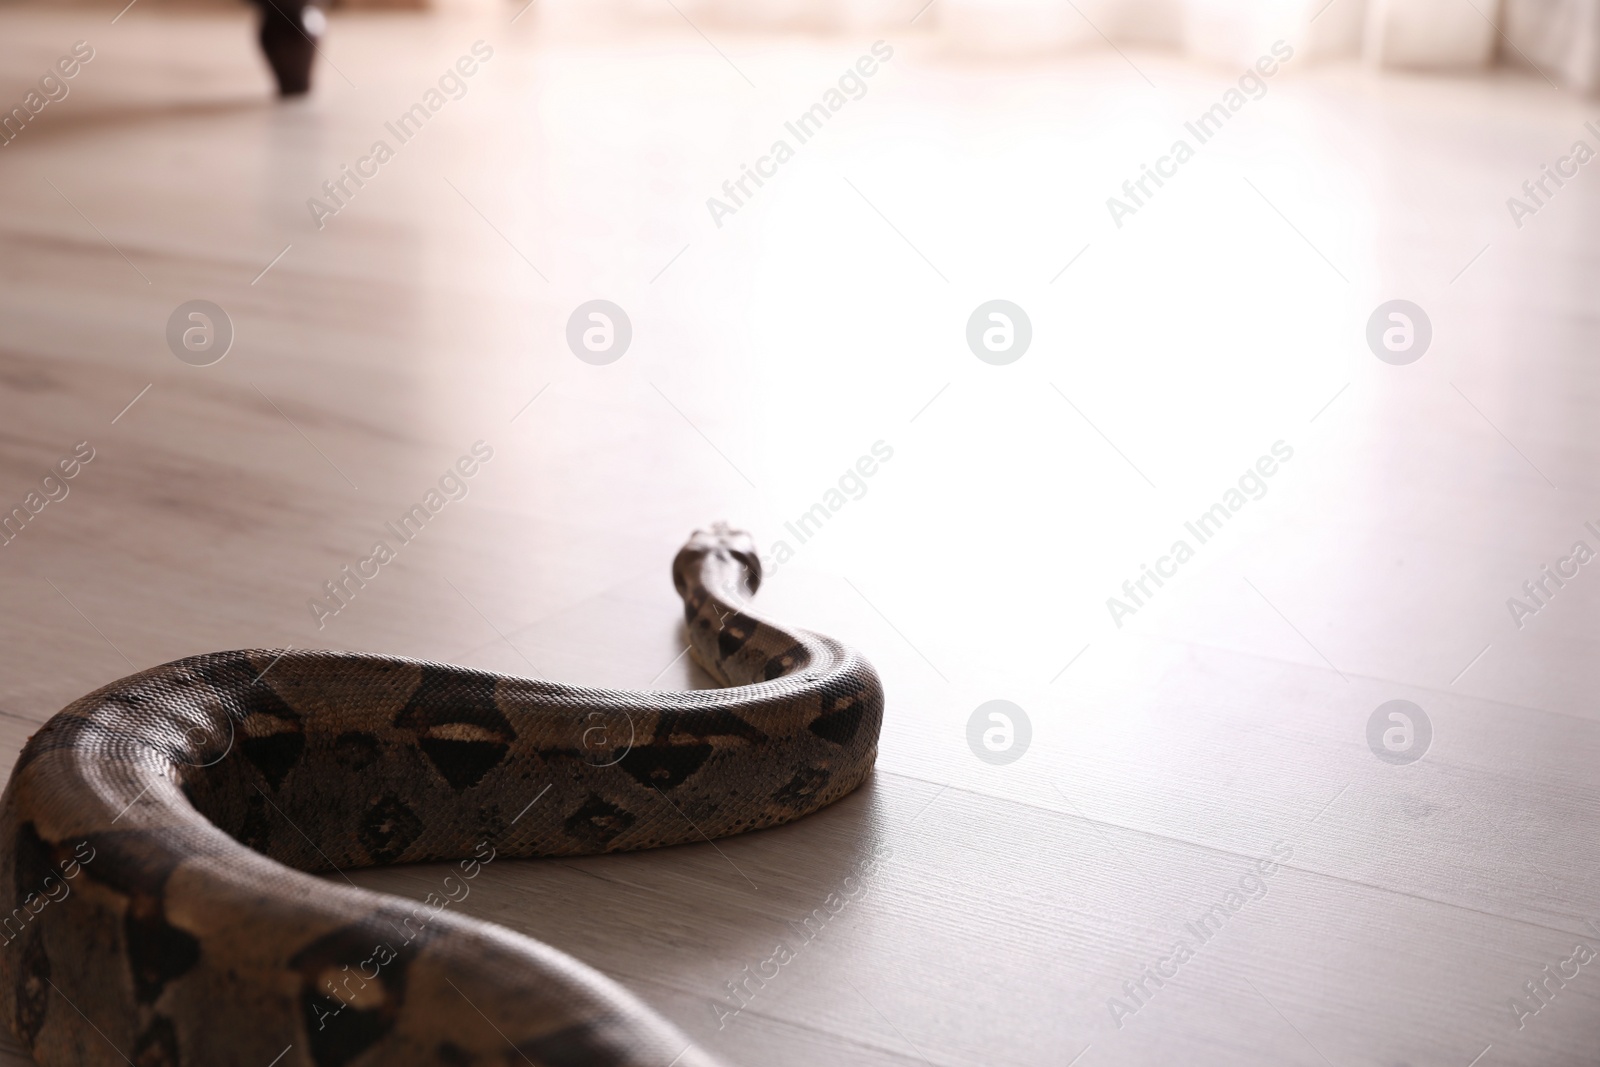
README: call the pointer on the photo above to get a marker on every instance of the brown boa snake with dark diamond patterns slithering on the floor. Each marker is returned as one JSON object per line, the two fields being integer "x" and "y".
{"x": 153, "y": 893}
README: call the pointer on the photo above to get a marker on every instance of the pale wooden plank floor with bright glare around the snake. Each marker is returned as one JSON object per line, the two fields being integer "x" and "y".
{"x": 1172, "y": 749}
